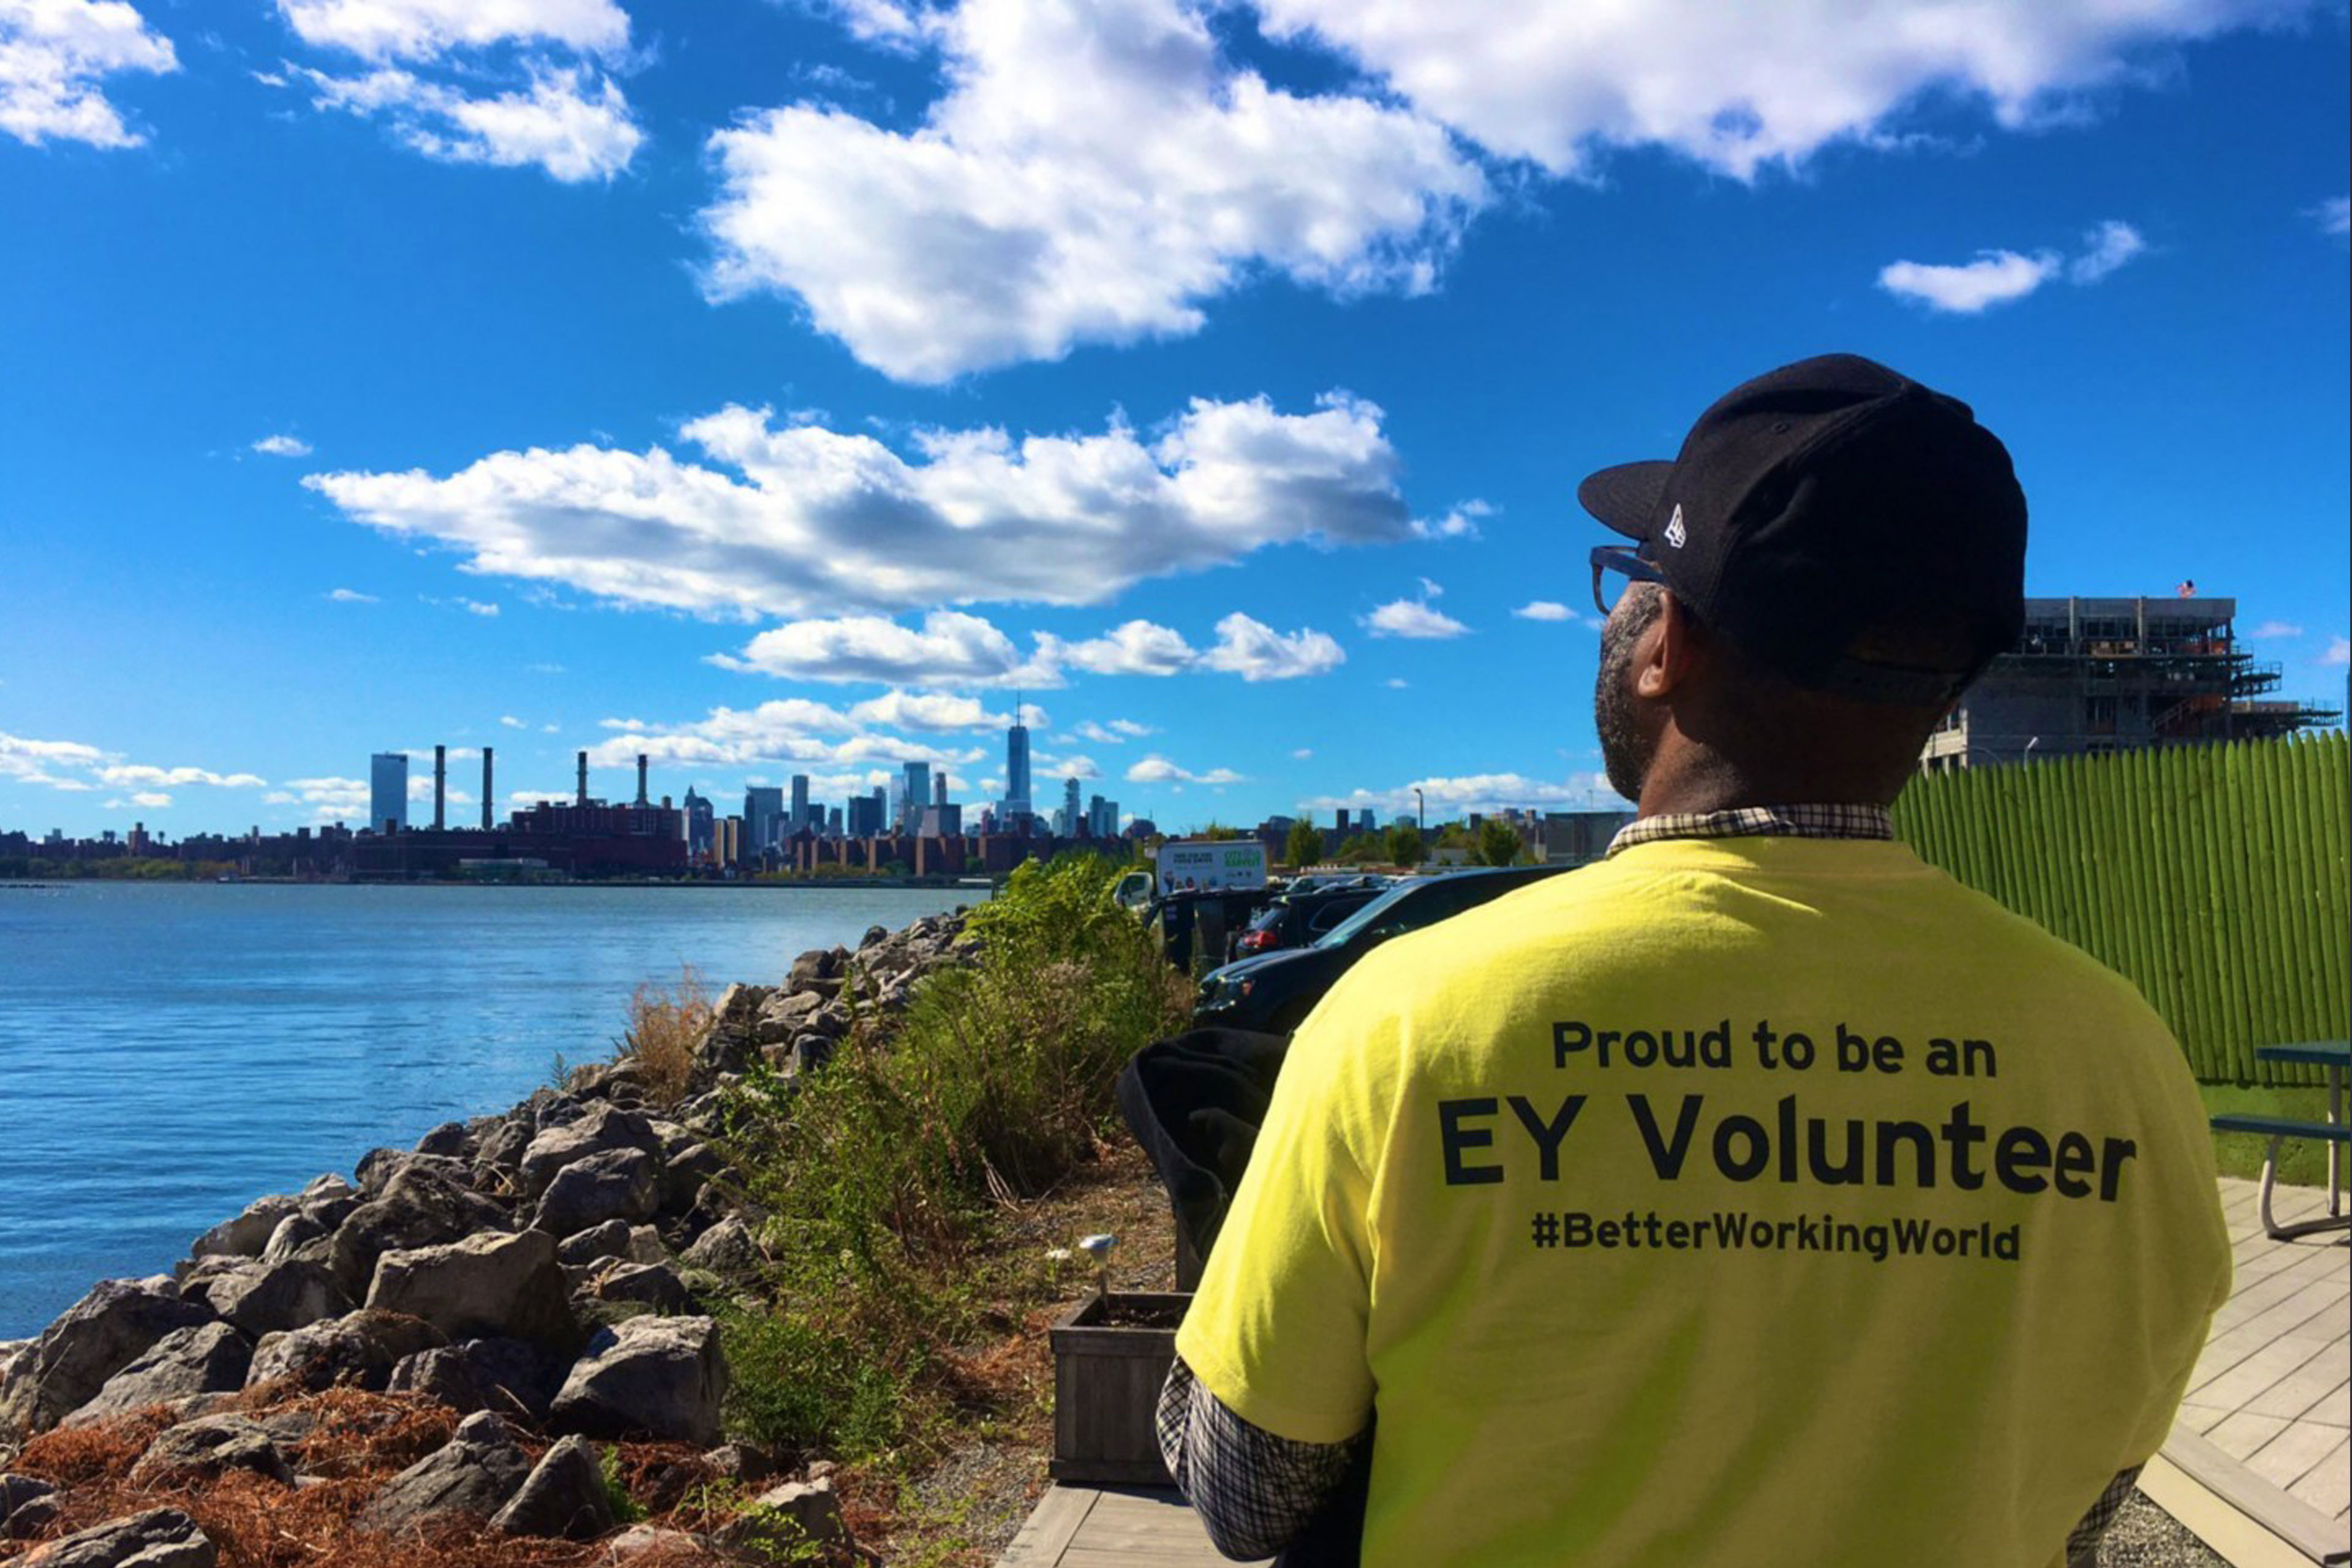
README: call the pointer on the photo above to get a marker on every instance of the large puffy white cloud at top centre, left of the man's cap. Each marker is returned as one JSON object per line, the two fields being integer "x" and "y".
{"x": 1095, "y": 175}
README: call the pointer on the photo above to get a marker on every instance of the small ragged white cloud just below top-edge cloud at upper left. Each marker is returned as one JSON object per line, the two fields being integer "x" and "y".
{"x": 568, "y": 121}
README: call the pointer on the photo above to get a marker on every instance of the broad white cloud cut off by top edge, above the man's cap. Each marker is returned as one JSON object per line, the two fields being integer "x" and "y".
{"x": 1739, "y": 86}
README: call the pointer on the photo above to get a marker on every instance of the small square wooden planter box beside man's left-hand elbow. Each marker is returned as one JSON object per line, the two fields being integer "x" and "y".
{"x": 1107, "y": 1388}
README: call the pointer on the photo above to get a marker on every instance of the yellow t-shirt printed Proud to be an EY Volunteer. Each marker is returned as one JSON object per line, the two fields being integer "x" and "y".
{"x": 1728, "y": 1205}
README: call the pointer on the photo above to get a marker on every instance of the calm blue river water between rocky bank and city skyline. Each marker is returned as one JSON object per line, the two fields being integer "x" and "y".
{"x": 173, "y": 1052}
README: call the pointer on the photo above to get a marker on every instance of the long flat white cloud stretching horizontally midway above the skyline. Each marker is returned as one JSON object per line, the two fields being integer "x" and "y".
{"x": 824, "y": 518}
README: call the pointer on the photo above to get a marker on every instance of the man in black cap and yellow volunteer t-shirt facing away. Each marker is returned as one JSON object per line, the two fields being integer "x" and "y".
{"x": 1756, "y": 1198}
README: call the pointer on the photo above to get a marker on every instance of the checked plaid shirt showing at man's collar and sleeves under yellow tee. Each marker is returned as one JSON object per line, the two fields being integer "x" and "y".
{"x": 1257, "y": 1492}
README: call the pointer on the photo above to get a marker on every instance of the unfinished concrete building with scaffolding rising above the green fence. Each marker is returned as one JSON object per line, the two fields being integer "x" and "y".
{"x": 2106, "y": 676}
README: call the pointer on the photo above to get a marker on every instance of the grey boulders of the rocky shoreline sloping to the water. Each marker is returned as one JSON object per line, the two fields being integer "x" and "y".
{"x": 549, "y": 1278}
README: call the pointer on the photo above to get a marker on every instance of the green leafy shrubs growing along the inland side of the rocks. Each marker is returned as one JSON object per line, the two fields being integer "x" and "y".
{"x": 886, "y": 1174}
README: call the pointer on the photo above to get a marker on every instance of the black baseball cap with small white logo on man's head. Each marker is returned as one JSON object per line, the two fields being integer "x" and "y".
{"x": 1843, "y": 525}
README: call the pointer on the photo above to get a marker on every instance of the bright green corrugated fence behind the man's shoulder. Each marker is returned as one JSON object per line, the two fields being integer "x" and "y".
{"x": 2212, "y": 876}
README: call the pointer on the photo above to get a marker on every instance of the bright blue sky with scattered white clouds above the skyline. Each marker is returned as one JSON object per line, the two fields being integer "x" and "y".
{"x": 777, "y": 389}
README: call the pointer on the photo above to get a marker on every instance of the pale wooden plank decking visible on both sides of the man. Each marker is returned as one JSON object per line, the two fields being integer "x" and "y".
{"x": 2259, "y": 1463}
